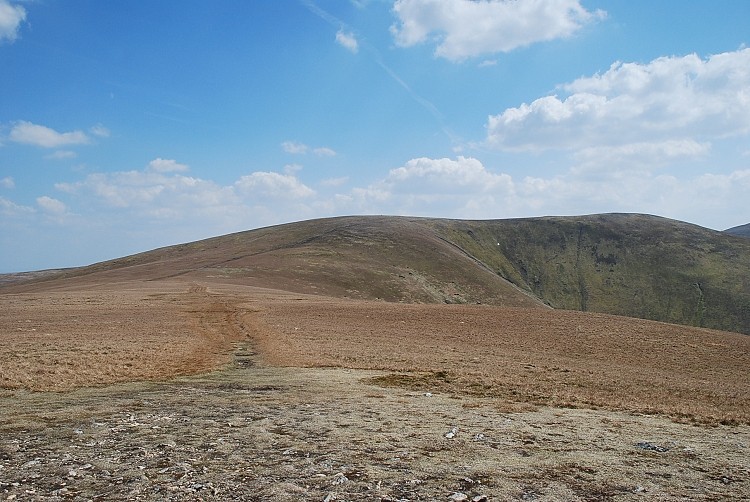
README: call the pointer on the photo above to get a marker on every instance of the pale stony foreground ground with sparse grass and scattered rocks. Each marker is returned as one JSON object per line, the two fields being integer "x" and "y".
{"x": 264, "y": 433}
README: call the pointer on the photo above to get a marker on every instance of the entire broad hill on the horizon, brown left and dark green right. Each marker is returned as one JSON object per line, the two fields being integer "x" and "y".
{"x": 626, "y": 264}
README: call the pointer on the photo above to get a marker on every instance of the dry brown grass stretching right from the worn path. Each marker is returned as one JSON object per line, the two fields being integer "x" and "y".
{"x": 557, "y": 358}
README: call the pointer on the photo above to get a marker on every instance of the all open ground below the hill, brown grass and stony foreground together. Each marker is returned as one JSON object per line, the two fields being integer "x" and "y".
{"x": 185, "y": 391}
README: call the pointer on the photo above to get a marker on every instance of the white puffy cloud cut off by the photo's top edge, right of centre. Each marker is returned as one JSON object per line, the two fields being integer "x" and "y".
{"x": 465, "y": 28}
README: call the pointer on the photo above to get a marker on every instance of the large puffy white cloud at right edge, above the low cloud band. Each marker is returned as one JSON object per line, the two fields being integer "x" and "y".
{"x": 669, "y": 99}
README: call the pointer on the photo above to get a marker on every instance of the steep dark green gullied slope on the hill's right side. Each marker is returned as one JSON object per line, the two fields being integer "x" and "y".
{"x": 627, "y": 264}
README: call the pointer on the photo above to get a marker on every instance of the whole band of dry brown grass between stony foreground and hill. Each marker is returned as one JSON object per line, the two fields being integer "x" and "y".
{"x": 63, "y": 339}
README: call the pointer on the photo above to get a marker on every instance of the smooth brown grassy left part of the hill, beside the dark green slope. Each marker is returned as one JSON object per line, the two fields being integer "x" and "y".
{"x": 387, "y": 258}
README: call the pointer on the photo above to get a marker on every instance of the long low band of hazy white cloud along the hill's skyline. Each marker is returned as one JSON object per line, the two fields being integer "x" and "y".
{"x": 140, "y": 210}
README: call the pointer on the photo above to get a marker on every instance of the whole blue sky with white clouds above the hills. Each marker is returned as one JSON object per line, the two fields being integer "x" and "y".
{"x": 127, "y": 126}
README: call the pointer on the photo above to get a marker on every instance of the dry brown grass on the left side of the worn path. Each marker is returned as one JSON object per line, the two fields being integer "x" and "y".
{"x": 61, "y": 340}
